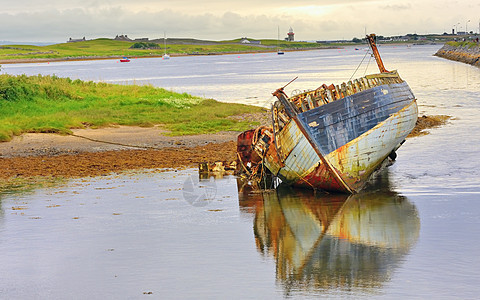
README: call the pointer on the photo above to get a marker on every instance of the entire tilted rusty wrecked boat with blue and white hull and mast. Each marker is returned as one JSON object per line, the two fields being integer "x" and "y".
{"x": 335, "y": 137}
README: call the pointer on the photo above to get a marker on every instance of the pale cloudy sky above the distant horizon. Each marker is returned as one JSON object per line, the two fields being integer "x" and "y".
{"x": 59, "y": 20}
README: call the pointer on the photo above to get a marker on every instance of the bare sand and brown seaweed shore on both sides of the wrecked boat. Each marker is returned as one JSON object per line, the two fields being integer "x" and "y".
{"x": 93, "y": 152}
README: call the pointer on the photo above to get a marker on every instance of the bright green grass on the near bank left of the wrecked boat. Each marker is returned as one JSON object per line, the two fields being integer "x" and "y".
{"x": 53, "y": 104}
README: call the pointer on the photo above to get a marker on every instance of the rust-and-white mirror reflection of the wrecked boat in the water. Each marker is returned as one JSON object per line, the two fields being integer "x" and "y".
{"x": 327, "y": 243}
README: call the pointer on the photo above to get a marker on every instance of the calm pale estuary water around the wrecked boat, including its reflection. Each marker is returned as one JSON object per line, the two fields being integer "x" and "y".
{"x": 413, "y": 234}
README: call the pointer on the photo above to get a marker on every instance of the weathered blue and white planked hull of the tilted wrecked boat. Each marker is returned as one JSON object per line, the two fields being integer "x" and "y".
{"x": 355, "y": 136}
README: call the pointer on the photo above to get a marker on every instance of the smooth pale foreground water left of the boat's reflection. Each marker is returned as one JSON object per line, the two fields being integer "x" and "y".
{"x": 124, "y": 235}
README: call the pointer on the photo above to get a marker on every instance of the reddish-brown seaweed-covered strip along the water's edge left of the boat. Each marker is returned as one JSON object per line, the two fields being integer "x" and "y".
{"x": 103, "y": 163}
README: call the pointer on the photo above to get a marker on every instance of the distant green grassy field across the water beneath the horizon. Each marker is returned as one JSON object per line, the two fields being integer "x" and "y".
{"x": 115, "y": 48}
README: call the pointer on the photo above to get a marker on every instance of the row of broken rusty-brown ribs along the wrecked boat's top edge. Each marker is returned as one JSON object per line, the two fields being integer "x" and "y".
{"x": 326, "y": 94}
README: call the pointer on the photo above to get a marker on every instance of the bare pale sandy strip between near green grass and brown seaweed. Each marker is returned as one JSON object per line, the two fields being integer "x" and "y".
{"x": 105, "y": 139}
